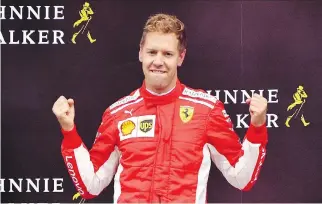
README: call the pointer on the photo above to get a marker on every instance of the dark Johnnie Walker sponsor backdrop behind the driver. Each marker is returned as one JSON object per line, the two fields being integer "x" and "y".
{"x": 235, "y": 48}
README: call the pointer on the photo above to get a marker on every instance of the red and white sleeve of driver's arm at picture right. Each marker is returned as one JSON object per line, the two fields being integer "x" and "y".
{"x": 240, "y": 163}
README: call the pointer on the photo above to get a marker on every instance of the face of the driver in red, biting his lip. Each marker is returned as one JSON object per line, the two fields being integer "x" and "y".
{"x": 160, "y": 58}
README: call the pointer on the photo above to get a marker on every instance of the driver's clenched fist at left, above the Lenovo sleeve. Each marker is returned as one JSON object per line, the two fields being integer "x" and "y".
{"x": 65, "y": 112}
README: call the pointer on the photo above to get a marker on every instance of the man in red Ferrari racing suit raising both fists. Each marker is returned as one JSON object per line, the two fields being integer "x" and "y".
{"x": 159, "y": 141}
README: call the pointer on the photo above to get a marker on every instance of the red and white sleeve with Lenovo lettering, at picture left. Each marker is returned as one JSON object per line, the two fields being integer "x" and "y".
{"x": 91, "y": 171}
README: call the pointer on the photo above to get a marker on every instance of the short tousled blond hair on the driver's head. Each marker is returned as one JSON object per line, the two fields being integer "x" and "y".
{"x": 166, "y": 23}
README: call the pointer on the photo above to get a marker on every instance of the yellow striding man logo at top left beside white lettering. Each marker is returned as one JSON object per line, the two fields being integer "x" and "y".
{"x": 86, "y": 16}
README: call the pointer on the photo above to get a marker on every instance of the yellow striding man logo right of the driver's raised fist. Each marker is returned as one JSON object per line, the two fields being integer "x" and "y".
{"x": 296, "y": 107}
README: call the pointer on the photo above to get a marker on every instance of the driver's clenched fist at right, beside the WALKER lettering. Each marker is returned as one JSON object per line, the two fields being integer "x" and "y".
{"x": 257, "y": 110}
